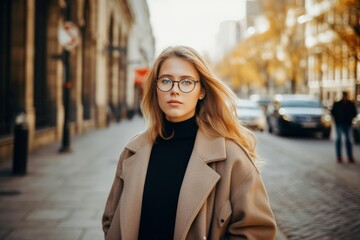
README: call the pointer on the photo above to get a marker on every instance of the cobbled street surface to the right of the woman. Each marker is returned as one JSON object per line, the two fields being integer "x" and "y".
{"x": 312, "y": 196}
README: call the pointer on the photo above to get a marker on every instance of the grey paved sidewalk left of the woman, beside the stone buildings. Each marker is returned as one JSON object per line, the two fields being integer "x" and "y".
{"x": 63, "y": 195}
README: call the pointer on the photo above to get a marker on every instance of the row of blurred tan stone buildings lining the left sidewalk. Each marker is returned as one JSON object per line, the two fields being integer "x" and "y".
{"x": 32, "y": 75}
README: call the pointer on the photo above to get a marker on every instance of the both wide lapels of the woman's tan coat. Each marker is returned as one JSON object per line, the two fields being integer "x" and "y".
{"x": 198, "y": 182}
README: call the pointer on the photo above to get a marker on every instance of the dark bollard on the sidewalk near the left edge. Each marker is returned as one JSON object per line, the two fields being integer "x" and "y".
{"x": 20, "y": 151}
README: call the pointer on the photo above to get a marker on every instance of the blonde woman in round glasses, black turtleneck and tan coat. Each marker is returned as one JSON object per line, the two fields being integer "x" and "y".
{"x": 191, "y": 174}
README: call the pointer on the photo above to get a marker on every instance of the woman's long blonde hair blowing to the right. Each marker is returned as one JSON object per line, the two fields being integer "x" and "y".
{"x": 215, "y": 113}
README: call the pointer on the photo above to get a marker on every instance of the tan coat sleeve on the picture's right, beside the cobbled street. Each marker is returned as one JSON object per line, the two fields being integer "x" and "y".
{"x": 252, "y": 217}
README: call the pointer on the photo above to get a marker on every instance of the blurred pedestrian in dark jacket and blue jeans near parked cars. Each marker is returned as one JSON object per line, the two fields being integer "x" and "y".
{"x": 343, "y": 112}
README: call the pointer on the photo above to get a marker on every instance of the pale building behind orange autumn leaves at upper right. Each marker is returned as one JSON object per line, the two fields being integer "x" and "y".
{"x": 333, "y": 65}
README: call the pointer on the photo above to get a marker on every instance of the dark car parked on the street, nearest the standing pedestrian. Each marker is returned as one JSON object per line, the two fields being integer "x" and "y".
{"x": 295, "y": 113}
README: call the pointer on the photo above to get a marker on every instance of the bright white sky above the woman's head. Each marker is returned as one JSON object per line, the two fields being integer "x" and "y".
{"x": 194, "y": 23}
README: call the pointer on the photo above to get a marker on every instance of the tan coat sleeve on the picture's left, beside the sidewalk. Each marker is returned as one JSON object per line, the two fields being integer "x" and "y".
{"x": 114, "y": 196}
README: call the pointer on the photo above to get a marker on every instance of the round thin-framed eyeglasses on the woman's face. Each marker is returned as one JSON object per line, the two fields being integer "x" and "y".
{"x": 186, "y": 85}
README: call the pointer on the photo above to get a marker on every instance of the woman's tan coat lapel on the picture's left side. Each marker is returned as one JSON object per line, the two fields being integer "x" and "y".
{"x": 134, "y": 175}
